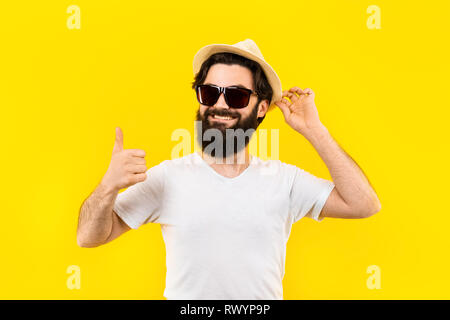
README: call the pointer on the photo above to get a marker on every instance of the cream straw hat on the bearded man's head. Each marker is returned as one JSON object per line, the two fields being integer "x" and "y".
{"x": 248, "y": 49}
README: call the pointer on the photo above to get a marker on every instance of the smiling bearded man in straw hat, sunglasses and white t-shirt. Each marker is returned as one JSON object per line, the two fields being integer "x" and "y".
{"x": 226, "y": 223}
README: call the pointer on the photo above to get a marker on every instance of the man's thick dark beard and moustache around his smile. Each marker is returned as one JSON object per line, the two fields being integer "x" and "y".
{"x": 234, "y": 138}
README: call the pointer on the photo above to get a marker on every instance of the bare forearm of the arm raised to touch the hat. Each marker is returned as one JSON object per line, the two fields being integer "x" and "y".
{"x": 350, "y": 181}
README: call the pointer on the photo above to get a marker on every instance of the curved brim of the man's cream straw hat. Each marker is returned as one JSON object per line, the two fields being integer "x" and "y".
{"x": 274, "y": 81}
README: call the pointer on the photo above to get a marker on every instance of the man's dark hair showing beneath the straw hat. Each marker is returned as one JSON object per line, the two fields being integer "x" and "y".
{"x": 260, "y": 83}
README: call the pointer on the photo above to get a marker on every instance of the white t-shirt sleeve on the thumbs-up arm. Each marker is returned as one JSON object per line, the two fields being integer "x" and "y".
{"x": 142, "y": 202}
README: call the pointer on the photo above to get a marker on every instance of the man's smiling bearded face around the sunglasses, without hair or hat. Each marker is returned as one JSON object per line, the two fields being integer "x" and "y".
{"x": 245, "y": 118}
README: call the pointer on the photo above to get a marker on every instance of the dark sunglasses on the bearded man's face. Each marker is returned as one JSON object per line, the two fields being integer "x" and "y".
{"x": 235, "y": 97}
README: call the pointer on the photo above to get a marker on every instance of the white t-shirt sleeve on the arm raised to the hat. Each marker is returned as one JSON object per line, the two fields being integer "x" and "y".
{"x": 308, "y": 194}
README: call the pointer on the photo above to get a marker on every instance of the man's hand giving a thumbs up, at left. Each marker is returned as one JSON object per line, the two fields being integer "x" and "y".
{"x": 127, "y": 166}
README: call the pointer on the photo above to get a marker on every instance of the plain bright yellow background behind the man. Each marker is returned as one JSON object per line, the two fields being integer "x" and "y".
{"x": 383, "y": 95}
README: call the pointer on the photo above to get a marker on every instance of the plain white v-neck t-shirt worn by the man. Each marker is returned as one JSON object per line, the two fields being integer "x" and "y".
{"x": 225, "y": 237}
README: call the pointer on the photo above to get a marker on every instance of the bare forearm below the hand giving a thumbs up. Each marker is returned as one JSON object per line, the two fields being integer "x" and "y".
{"x": 95, "y": 218}
